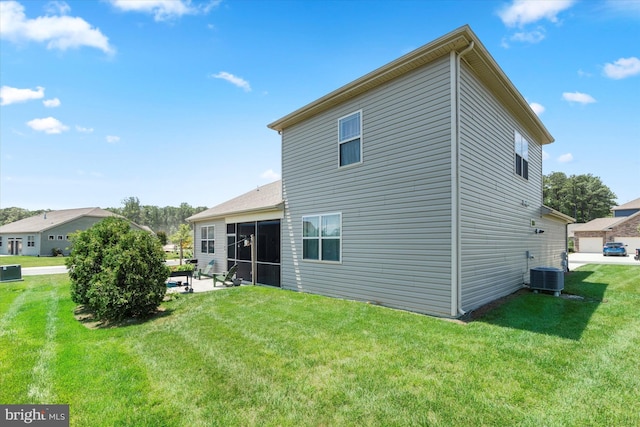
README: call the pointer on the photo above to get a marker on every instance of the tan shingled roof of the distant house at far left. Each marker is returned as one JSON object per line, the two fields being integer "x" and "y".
{"x": 43, "y": 222}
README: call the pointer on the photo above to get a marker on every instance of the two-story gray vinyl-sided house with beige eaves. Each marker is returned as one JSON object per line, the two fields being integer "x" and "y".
{"x": 417, "y": 186}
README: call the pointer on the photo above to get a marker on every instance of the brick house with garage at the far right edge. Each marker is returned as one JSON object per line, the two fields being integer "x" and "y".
{"x": 623, "y": 227}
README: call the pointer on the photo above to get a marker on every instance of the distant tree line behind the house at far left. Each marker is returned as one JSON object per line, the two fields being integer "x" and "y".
{"x": 160, "y": 219}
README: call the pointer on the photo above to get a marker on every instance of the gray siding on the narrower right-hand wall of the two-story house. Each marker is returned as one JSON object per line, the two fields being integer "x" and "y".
{"x": 496, "y": 205}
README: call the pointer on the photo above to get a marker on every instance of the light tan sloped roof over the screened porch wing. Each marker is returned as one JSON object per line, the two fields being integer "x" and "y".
{"x": 266, "y": 197}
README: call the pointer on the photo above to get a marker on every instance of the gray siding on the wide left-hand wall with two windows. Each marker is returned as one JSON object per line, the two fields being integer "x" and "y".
{"x": 395, "y": 205}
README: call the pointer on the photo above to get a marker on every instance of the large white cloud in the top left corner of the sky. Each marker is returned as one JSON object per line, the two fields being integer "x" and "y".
{"x": 58, "y": 31}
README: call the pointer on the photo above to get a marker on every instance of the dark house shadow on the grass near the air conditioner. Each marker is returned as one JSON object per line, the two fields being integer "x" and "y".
{"x": 566, "y": 316}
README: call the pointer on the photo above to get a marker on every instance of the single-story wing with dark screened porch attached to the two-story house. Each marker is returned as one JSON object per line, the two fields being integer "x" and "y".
{"x": 220, "y": 234}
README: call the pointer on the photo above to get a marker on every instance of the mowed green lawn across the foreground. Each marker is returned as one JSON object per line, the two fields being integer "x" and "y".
{"x": 259, "y": 356}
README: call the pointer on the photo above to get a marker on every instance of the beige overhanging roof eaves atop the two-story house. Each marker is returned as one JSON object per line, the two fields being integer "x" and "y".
{"x": 478, "y": 58}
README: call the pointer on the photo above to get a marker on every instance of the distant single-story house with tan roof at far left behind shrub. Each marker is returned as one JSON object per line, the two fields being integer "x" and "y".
{"x": 40, "y": 234}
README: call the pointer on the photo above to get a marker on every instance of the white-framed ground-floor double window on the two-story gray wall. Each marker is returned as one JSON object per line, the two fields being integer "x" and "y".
{"x": 322, "y": 237}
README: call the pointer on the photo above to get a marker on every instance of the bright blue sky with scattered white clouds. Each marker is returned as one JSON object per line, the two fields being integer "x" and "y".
{"x": 168, "y": 101}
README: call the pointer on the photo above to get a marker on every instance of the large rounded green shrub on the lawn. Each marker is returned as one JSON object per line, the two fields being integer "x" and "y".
{"x": 117, "y": 272}
